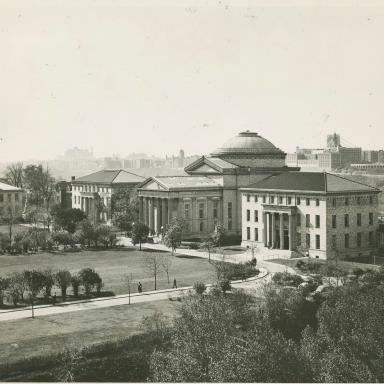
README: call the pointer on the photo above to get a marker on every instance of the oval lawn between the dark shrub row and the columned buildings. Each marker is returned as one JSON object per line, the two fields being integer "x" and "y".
{"x": 113, "y": 265}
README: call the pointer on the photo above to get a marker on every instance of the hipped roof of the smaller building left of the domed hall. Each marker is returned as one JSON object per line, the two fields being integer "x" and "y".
{"x": 110, "y": 176}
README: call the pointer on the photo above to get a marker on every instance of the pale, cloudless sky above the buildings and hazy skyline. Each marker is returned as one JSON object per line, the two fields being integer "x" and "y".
{"x": 157, "y": 76}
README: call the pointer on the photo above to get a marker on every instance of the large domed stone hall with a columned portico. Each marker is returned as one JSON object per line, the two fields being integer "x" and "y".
{"x": 210, "y": 192}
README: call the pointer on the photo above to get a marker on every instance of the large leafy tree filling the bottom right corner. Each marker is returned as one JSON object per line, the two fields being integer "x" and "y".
{"x": 348, "y": 344}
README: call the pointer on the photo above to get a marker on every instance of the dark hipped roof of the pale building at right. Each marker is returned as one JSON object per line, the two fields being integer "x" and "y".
{"x": 311, "y": 181}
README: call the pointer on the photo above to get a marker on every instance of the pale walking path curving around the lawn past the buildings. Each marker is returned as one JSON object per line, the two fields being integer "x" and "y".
{"x": 266, "y": 269}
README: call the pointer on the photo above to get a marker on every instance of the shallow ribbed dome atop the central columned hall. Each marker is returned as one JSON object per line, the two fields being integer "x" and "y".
{"x": 247, "y": 143}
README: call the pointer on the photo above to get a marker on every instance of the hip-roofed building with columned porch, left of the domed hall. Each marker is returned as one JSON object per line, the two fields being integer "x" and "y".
{"x": 92, "y": 193}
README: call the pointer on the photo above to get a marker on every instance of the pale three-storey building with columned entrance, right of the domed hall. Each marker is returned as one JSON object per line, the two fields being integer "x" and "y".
{"x": 319, "y": 214}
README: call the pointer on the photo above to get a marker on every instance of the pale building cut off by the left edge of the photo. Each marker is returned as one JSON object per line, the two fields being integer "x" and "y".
{"x": 12, "y": 201}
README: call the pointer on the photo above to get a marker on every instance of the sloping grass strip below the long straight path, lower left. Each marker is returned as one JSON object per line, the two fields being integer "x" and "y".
{"x": 47, "y": 335}
